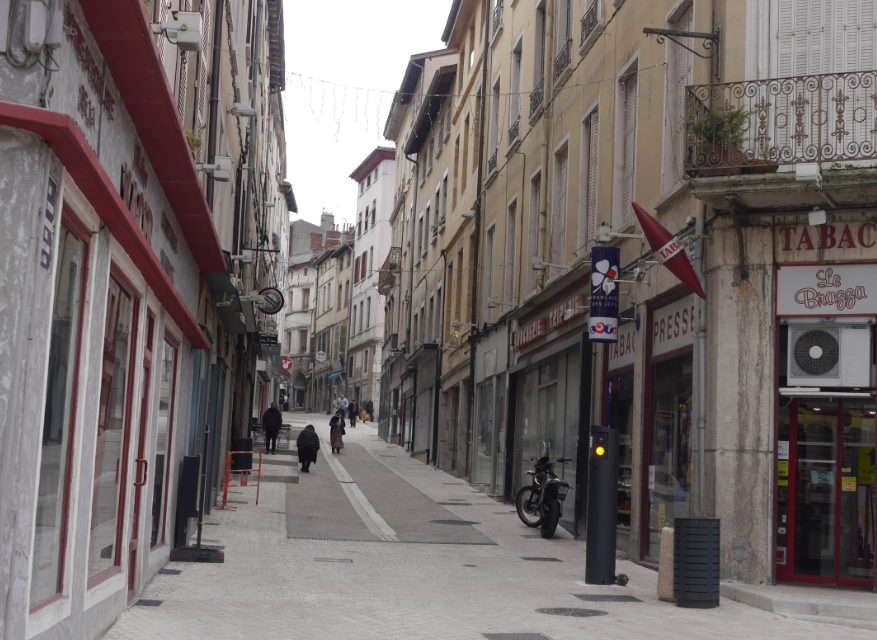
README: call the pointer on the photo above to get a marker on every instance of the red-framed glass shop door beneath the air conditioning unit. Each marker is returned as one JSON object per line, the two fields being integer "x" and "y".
{"x": 825, "y": 492}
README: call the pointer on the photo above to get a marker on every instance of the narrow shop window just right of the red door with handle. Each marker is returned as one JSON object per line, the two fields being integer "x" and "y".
{"x": 163, "y": 434}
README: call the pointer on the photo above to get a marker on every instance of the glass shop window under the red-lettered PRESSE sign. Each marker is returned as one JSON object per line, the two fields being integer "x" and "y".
{"x": 669, "y": 465}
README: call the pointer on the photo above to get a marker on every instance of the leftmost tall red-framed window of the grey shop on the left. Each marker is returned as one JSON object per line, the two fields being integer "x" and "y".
{"x": 52, "y": 499}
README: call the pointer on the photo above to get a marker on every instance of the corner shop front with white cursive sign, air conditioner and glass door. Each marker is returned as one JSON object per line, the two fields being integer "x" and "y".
{"x": 825, "y": 450}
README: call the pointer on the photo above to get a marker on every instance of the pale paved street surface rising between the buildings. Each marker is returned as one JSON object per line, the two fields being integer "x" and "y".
{"x": 372, "y": 544}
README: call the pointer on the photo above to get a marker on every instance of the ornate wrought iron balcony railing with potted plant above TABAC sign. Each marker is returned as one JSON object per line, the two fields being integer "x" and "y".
{"x": 818, "y": 118}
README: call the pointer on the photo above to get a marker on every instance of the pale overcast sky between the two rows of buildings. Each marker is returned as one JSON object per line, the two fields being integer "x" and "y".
{"x": 344, "y": 59}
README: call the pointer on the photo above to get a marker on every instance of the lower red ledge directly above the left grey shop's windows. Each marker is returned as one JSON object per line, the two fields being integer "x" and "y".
{"x": 70, "y": 145}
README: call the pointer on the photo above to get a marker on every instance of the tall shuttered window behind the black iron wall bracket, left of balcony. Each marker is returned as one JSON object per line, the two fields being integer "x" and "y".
{"x": 678, "y": 76}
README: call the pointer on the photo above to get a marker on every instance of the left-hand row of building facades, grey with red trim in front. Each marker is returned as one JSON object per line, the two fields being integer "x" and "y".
{"x": 125, "y": 343}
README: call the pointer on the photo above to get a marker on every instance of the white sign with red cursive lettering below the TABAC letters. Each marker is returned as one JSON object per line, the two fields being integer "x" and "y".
{"x": 821, "y": 290}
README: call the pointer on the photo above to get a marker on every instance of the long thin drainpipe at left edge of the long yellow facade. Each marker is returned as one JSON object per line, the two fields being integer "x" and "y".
{"x": 473, "y": 309}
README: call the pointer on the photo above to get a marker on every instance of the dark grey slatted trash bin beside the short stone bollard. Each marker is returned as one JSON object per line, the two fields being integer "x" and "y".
{"x": 696, "y": 562}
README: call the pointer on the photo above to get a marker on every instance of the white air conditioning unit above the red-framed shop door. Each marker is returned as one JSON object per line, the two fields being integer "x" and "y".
{"x": 829, "y": 356}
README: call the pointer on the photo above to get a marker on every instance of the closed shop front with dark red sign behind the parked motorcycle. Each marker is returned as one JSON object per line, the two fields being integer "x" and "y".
{"x": 550, "y": 399}
